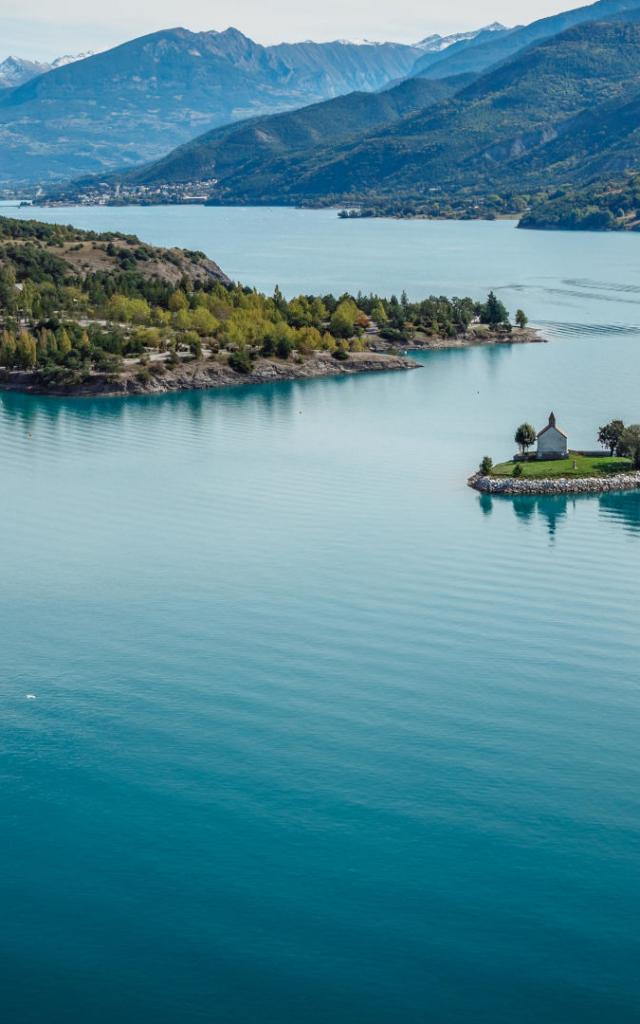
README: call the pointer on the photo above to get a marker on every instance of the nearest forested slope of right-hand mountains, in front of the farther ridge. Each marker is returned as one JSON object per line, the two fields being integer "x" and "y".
{"x": 511, "y": 129}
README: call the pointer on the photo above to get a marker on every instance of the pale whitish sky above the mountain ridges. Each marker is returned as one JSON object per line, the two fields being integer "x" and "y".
{"x": 47, "y": 29}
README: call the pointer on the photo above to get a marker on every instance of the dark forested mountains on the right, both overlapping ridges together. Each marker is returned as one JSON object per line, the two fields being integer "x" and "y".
{"x": 561, "y": 110}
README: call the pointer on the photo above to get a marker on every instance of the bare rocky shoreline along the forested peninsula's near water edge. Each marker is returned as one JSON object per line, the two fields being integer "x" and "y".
{"x": 207, "y": 374}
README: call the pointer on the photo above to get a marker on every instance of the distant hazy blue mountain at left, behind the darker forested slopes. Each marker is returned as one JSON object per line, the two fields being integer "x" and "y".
{"x": 138, "y": 101}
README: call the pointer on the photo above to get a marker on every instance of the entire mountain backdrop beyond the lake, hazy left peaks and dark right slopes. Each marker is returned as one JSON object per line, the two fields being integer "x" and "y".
{"x": 507, "y": 111}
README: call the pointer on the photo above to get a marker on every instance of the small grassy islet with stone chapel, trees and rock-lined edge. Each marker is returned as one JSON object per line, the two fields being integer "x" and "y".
{"x": 554, "y": 468}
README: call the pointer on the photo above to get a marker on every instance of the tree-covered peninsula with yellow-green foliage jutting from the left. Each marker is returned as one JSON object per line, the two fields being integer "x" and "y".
{"x": 89, "y": 314}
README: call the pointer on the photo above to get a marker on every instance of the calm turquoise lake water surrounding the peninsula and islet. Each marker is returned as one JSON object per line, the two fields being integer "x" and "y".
{"x": 322, "y": 736}
